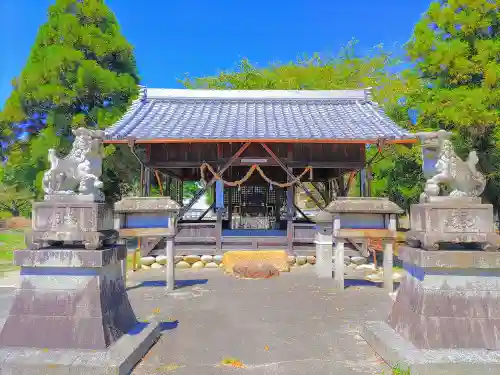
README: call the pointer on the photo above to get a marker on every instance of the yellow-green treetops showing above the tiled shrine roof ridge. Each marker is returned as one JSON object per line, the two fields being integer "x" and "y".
{"x": 348, "y": 70}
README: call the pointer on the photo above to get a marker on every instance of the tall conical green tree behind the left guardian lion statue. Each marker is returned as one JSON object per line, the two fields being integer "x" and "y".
{"x": 81, "y": 72}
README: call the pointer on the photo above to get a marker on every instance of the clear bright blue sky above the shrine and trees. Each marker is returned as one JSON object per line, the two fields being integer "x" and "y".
{"x": 201, "y": 37}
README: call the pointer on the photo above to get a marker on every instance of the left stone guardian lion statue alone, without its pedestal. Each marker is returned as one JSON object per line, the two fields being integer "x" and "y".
{"x": 80, "y": 170}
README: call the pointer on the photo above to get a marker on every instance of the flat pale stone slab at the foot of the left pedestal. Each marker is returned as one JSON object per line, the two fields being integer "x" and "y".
{"x": 119, "y": 359}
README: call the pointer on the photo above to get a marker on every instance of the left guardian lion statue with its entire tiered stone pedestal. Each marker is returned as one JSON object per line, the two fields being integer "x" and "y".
{"x": 71, "y": 313}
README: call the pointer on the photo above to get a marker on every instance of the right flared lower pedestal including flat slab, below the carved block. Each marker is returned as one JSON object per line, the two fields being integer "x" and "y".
{"x": 446, "y": 316}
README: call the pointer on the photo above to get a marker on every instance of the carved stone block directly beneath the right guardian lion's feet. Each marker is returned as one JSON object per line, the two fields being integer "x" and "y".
{"x": 452, "y": 220}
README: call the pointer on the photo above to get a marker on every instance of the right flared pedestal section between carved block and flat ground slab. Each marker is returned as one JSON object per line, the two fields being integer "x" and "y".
{"x": 449, "y": 299}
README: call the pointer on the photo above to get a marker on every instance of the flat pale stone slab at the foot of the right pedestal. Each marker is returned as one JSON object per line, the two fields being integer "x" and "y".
{"x": 399, "y": 352}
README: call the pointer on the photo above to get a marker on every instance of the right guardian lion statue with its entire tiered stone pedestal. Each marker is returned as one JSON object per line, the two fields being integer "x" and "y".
{"x": 446, "y": 316}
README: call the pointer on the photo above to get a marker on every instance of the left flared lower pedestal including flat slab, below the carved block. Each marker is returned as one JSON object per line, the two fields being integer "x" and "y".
{"x": 72, "y": 302}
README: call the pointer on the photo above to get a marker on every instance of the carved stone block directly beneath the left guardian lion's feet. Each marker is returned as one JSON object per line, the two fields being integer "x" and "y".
{"x": 69, "y": 221}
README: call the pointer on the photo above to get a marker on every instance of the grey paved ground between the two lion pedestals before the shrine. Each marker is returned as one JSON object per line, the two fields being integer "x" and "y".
{"x": 291, "y": 324}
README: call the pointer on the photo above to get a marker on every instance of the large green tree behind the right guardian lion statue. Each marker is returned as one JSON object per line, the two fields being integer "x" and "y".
{"x": 456, "y": 50}
